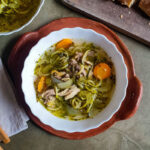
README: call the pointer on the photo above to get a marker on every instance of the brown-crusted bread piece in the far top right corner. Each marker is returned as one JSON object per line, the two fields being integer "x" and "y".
{"x": 145, "y": 6}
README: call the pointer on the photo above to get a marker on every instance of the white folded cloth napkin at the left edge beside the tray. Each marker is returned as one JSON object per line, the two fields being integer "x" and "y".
{"x": 13, "y": 118}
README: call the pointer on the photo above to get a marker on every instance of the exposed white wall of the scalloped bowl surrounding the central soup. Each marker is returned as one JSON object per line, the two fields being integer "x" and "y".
{"x": 28, "y": 79}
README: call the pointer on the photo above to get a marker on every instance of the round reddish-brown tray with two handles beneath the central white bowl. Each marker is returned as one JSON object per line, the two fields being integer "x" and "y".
{"x": 28, "y": 40}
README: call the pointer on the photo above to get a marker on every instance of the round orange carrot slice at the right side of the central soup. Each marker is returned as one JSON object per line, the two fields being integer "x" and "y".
{"x": 102, "y": 71}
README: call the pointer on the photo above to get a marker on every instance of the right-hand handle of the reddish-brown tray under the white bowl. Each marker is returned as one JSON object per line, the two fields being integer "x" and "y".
{"x": 132, "y": 99}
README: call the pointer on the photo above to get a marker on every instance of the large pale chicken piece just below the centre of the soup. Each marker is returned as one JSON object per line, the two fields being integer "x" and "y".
{"x": 70, "y": 92}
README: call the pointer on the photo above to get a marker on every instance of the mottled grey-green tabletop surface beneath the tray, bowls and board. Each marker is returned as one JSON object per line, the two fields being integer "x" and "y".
{"x": 132, "y": 134}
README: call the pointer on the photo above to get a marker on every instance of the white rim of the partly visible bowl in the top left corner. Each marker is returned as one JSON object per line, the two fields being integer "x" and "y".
{"x": 27, "y": 23}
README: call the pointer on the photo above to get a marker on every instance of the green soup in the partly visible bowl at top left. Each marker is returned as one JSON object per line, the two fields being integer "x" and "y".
{"x": 16, "y": 13}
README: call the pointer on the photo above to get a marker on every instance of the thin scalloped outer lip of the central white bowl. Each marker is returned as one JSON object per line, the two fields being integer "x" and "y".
{"x": 123, "y": 61}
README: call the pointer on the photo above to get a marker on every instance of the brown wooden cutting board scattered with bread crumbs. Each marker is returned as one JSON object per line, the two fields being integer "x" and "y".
{"x": 130, "y": 21}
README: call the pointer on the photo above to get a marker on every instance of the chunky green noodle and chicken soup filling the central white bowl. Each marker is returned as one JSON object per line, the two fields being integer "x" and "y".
{"x": 70, "y": 90}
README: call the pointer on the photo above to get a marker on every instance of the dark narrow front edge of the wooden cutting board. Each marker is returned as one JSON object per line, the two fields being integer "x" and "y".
{"x": 73, "y": 7}
